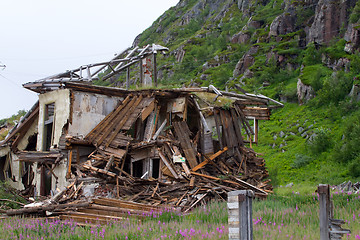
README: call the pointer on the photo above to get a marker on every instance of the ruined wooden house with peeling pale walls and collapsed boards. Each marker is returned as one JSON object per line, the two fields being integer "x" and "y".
{"x": 179, "y": 147}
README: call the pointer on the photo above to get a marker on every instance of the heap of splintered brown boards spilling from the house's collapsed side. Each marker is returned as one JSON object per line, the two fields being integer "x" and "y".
{"x": 162, "y": 160}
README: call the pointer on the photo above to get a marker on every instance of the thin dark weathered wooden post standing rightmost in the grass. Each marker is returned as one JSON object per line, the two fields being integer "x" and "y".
{"x": 324, "y": 214}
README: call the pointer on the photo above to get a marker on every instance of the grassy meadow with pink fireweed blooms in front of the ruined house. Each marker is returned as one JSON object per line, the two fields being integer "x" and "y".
{"x": 278, "y": 217}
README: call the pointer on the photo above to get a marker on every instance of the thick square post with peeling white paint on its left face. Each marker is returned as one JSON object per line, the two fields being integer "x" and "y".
{"x": 240, "y": 215}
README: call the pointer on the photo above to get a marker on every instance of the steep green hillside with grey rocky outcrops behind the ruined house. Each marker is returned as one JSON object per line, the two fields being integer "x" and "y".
{"x": 304, "y": 53}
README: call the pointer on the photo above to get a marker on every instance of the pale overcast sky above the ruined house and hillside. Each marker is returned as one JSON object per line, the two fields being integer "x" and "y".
{"x": 39, "y": 38}
